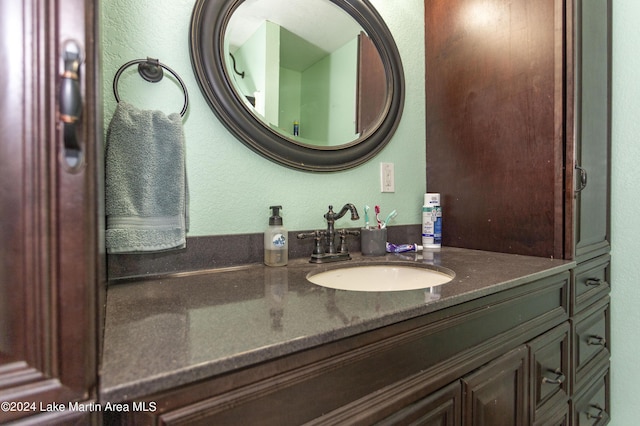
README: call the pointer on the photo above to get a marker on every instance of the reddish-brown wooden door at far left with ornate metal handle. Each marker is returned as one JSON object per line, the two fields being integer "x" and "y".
{"x": 48, "y": 210}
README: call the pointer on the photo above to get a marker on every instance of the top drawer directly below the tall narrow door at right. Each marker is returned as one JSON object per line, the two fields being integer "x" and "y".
{"x": 590, "y": 283}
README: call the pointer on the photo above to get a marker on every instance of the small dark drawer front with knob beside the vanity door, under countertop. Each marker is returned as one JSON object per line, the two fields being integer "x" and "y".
{"x": 549, "y": 356}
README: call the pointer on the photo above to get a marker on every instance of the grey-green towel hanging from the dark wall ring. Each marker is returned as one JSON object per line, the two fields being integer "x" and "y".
{"x": 146, "y": 193}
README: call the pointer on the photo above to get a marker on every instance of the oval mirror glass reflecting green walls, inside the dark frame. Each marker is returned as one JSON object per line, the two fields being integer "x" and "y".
{"x": 310, "y": 84}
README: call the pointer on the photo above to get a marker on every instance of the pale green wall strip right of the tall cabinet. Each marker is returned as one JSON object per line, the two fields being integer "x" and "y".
{"x": 625, "y": 279}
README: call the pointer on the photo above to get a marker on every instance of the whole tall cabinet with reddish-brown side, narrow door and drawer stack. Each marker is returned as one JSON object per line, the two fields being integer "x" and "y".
{"x": 518, "y": 144}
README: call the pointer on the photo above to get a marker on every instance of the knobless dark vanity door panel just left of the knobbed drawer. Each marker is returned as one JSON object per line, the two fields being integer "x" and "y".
{"x": 497, "y": 393}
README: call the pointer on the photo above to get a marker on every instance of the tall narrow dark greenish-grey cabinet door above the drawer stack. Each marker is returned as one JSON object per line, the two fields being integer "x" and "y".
{"x": 592, "y": 127}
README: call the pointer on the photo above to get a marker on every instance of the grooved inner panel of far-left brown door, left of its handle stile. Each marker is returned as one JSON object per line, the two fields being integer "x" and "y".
{"x": 26, "y": 228}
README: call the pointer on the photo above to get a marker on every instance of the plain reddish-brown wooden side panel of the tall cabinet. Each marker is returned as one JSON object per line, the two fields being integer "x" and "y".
{"x": 494, "y": 122}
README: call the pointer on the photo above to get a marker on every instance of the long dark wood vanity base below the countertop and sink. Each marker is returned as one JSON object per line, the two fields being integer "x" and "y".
{"x": 480, "y": 362}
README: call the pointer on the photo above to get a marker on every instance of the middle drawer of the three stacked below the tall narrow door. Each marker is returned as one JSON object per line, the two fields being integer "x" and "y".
{"x": 590, "y": 342}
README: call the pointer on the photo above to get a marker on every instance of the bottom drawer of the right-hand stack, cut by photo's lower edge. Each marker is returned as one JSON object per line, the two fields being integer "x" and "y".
{"x": 591, "y": 407}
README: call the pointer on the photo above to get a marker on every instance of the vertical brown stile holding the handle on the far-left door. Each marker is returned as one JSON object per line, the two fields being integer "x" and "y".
{"x": 76, "y": 214}
